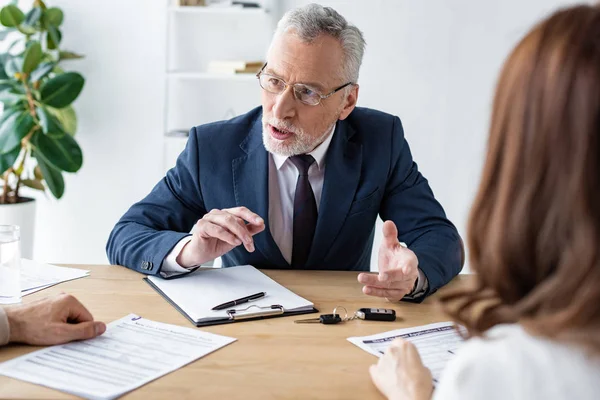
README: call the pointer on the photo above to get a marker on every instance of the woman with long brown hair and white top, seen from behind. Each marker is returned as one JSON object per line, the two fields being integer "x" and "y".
{"x": 534, "y": 234}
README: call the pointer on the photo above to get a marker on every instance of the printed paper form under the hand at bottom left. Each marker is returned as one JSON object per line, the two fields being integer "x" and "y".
{"x": 132, "y": 352}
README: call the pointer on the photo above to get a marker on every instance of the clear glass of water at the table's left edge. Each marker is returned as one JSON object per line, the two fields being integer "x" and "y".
{"x": 10, "y": 262}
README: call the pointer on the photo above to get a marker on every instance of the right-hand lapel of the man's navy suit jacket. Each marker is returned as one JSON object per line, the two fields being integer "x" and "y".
{"x": 342, "y": 174}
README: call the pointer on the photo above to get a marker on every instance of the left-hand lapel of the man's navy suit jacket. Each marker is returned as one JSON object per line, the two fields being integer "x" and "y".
{"x": 251, "y": 189}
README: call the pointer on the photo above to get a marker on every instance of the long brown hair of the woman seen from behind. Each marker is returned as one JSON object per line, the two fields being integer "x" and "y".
{"x": 534, "y": 228}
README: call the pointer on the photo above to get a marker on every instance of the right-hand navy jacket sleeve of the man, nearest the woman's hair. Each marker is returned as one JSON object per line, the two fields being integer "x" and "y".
{"x": 421, "y": 221}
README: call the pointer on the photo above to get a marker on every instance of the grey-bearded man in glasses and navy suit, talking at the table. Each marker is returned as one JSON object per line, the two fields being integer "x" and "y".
{"x": 299, "y": 182}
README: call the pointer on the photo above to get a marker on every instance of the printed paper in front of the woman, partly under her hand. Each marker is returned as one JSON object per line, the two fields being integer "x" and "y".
{"x": 437, "y": 343}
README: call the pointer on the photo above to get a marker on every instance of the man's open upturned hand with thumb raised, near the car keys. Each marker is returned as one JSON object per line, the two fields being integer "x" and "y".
{"x": 398, "y": 268}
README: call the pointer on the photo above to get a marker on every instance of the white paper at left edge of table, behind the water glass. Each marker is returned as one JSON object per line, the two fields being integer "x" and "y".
{"x": 37, "y": 276}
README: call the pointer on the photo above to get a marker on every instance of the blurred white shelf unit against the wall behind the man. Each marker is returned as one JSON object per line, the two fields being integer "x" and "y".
{"x": 198, "y": 40}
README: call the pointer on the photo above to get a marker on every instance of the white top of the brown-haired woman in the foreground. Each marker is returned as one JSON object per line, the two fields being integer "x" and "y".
{"x": 512, "y": 364}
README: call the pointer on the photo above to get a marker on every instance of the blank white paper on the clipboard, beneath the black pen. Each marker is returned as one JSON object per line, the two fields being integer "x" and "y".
{"x": 198, "y": 292}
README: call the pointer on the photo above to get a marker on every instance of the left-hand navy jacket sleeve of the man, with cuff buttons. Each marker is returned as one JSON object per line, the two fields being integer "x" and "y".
{"x": 150, "y": 229}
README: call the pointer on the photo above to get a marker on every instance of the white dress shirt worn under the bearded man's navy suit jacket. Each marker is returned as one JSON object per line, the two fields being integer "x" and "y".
{"x": 283, "y": 176}
